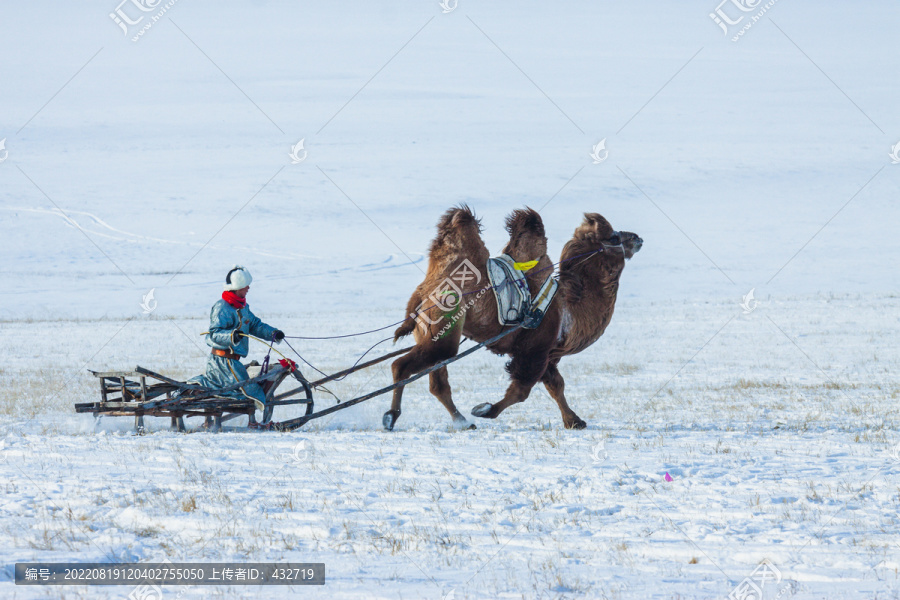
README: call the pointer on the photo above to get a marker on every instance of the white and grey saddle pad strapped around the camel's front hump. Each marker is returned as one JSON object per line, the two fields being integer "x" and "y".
{"x": 514, "y": 302}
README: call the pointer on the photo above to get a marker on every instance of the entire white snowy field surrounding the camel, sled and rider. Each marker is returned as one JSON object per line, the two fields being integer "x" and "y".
{"x": 759, "y": 164}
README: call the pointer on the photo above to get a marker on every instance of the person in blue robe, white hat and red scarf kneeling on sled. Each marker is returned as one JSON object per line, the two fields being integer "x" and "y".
{"x": 230, "y": 321}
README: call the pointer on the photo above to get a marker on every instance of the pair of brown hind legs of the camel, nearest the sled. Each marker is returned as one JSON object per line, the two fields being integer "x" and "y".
{"x": 426, "y": 353}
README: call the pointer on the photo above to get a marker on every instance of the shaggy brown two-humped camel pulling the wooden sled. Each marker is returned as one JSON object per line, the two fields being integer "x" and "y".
{"x": 454, "y": 301}
